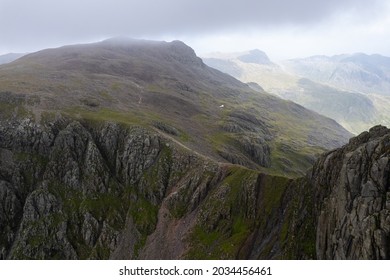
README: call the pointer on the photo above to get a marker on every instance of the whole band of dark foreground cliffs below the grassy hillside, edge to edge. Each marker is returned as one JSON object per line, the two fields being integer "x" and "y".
{"x": 78, "y": 190}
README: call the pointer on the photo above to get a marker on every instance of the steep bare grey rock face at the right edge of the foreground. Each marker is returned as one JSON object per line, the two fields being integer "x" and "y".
{"x": 354, "y": 220}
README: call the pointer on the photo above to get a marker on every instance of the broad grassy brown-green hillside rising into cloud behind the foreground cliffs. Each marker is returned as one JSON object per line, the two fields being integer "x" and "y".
{"x": 165, "y": 86}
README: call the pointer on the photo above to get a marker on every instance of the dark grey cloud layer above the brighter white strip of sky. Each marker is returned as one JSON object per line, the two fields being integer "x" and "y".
{"x": 41, "y": 21}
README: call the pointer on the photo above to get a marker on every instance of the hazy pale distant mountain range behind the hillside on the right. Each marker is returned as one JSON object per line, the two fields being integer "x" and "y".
{"x": 352, "y": 89}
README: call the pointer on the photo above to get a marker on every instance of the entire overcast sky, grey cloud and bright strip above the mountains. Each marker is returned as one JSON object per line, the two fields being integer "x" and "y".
{"x": 281, "y": 28}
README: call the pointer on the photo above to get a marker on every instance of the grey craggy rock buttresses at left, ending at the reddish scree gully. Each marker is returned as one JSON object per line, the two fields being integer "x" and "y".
{"x": 65, "y": 187}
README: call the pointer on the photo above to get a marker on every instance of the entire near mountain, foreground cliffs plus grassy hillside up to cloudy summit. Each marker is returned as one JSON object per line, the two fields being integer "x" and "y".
{"x": 122, "y": 150}
